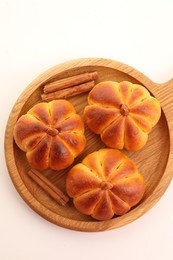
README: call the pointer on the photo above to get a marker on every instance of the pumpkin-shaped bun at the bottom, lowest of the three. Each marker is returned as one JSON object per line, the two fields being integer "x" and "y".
{"x": 106, "y": 183}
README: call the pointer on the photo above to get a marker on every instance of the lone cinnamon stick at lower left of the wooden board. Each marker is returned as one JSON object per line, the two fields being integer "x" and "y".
{"x": 47, "y": 186}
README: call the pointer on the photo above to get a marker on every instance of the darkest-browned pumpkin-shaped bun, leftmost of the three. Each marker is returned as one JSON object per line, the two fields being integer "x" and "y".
{"x": 51, "y": 134}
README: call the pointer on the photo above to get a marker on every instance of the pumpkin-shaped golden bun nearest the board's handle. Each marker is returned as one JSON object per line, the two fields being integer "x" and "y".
{"x": 122, "y": 114}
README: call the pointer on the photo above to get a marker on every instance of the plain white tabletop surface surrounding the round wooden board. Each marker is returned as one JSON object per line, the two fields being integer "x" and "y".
{"x": 36, "y": 35}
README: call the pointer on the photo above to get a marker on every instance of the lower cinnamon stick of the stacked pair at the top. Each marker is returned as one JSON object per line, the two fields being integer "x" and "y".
{"x": 69, "y": 92}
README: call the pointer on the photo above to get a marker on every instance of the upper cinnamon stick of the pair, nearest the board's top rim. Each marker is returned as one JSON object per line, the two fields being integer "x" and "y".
{"x": 70, "y": 81}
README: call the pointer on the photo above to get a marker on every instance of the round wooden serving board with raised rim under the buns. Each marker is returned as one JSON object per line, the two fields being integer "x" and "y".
{"x": 154, "y": 161}
